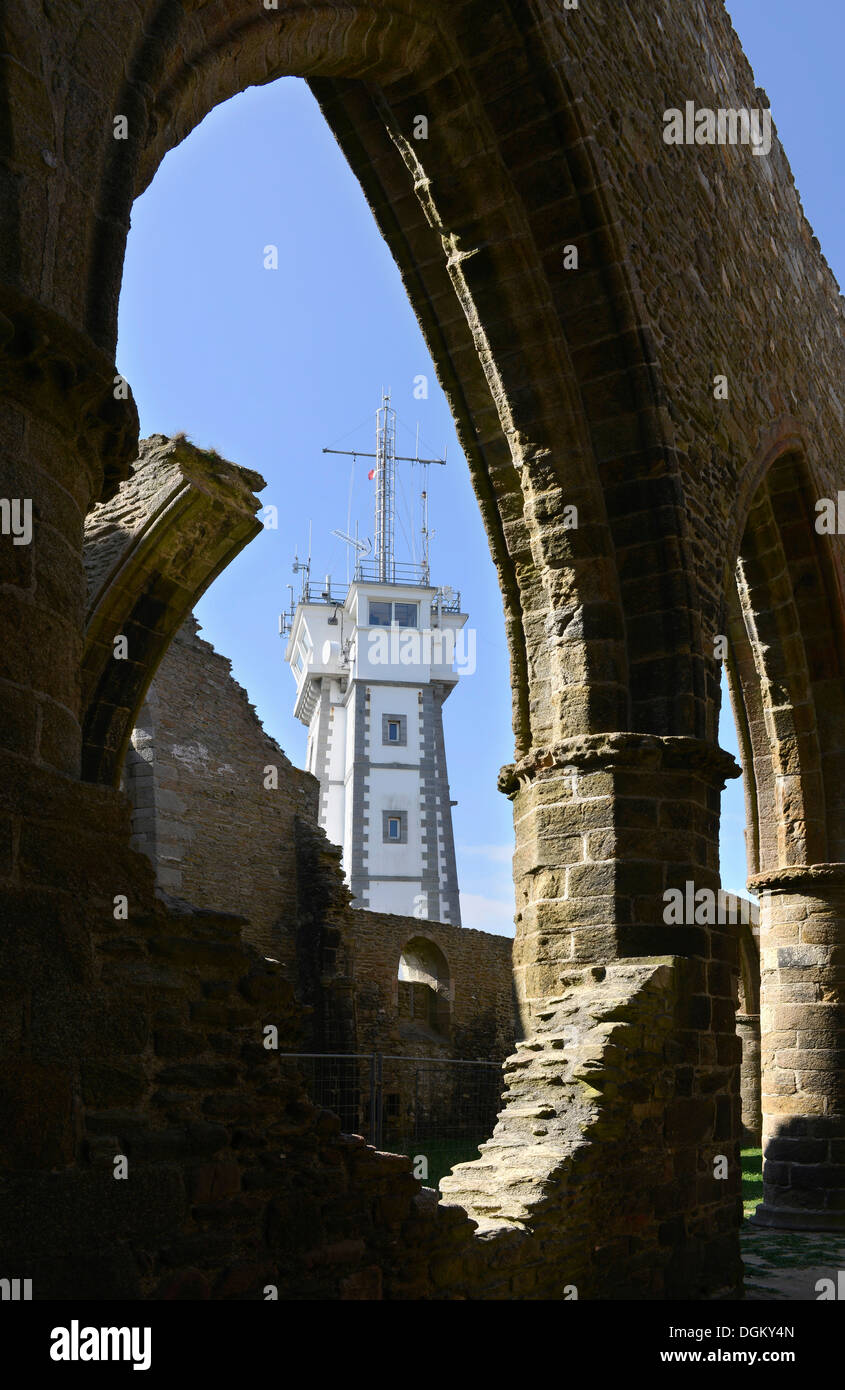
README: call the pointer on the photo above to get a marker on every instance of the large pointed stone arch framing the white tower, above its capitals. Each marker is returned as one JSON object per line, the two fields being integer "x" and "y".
{"x": 569, "y": 414}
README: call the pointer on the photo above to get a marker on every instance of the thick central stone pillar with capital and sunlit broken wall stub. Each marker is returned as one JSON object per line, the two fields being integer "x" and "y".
{"x": 627, "y": 1078}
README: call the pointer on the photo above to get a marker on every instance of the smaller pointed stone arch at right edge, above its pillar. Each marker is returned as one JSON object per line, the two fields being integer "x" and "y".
{"x": 787, "y": 672}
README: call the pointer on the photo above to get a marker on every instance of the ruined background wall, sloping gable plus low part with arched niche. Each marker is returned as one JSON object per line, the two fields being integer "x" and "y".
{"x": 224, "y": 842}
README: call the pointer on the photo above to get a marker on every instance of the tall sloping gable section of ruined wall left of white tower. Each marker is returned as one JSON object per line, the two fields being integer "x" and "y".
{"x": 218, "y": 835}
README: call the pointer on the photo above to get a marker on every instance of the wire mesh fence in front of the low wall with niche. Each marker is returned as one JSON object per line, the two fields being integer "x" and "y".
{"x": 436, "y": 1110}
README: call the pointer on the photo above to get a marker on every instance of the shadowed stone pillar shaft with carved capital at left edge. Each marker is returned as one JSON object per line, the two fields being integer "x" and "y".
{"x": 62, "y": 433}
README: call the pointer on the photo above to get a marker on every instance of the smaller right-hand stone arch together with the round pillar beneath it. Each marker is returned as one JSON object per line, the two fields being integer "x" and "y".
{"x": 787, "y": 678}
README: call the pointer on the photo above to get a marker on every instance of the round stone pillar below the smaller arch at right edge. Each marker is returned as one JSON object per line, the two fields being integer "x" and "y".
{"x": 803, "y": 1013}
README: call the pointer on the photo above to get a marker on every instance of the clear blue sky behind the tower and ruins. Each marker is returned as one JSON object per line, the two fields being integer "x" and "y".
{"x": 270, "y": 366}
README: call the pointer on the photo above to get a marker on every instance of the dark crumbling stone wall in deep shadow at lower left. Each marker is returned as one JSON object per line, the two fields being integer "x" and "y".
{"x": 155, "y": 1147}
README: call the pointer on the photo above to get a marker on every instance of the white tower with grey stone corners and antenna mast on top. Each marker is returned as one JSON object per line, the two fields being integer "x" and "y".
{"x": 375, "y": 664}
